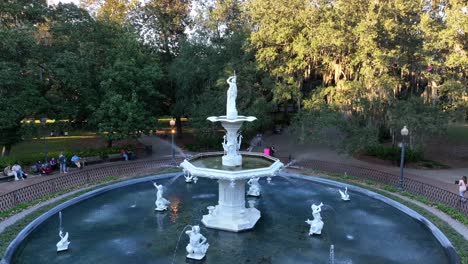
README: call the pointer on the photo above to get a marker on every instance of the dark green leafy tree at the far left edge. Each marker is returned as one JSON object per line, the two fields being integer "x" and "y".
{"x": 19, "y": 72}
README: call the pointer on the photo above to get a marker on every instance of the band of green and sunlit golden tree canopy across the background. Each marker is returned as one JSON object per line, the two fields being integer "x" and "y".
{"x": 356, "y": 71}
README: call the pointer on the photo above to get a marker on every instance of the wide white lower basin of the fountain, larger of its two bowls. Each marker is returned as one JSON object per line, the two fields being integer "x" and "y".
{"x": 209, "y": 165}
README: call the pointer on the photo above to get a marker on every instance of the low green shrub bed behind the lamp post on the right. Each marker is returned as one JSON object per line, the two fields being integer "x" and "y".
{"x": 393, "y": 153}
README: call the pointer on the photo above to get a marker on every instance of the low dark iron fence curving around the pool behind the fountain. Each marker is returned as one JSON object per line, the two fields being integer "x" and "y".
{"x": 92, "y": 175}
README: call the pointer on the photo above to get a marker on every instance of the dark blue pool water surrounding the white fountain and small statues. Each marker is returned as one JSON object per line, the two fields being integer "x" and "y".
{"x": 121, "y": 226}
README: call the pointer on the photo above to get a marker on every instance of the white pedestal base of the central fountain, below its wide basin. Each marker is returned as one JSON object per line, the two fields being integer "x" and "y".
{"x": 231, "y": 214}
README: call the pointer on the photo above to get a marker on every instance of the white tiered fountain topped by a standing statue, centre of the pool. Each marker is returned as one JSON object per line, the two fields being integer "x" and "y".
{"x": 232, "y": 169}
